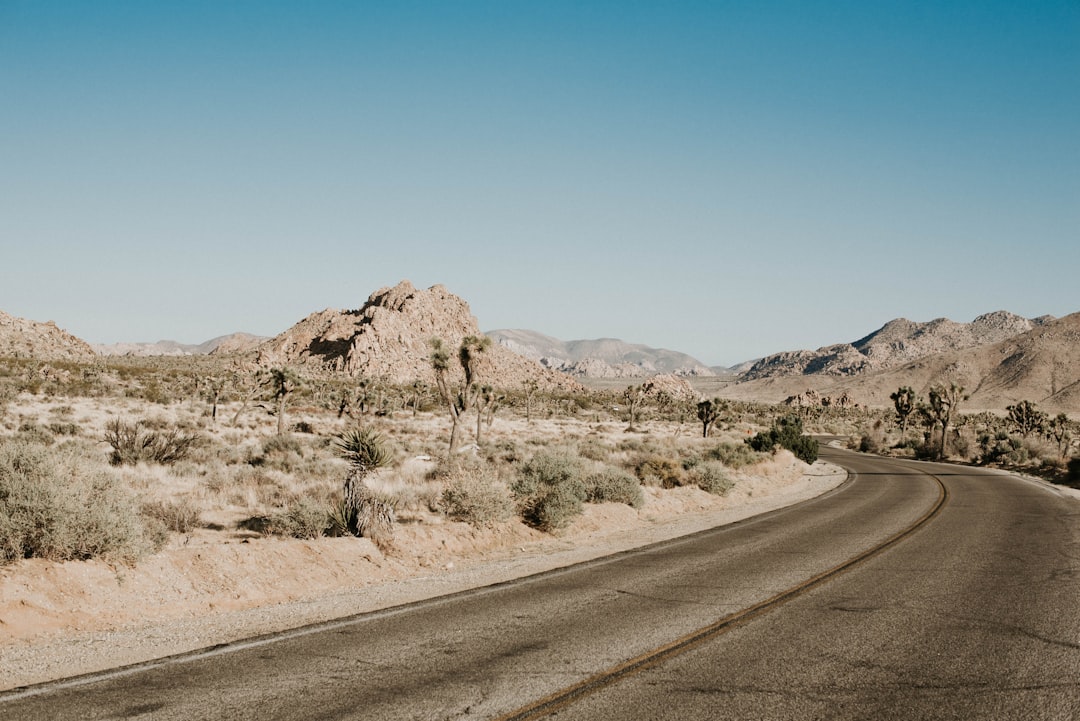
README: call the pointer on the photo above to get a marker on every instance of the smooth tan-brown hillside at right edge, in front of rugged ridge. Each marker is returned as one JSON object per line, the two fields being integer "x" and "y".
{"x": 1042, "y": 365}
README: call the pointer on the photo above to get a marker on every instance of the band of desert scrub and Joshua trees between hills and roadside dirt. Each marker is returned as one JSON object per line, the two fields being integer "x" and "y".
{"x": 121, "y": 458}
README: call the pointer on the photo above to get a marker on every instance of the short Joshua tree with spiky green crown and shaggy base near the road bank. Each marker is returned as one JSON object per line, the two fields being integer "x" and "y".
{"x": 362, "y": 512}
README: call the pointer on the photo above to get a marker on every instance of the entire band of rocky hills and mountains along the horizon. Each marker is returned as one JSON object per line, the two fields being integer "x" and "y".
{"x": 1000, "y": 358}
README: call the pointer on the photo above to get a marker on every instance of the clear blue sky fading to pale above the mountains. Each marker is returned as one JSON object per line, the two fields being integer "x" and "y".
{"x": 727, "y": 180}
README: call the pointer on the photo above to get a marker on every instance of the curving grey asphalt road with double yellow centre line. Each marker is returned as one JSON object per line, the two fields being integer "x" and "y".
{"x": 971, "y": 616}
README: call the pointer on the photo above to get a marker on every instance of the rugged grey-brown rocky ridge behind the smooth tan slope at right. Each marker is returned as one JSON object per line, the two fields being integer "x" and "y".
{"x": 895, "y": 345}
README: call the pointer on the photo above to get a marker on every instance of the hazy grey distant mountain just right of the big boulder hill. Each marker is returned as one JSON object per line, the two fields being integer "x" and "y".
{"x": 606, "y": 358}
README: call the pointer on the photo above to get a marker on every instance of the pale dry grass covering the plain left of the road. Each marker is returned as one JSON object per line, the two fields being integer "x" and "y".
{"x": 241, "y": 475}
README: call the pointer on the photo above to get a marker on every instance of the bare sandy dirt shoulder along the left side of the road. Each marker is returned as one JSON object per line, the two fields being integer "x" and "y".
{"x": 63, "y": 620}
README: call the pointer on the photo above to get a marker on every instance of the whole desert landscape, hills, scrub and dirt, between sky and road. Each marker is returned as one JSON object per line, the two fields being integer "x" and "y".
{"x": 158, "y": 498}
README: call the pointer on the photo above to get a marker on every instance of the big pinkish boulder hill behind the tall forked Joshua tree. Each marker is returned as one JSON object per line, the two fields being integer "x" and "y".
{"x": 390, "y": 338}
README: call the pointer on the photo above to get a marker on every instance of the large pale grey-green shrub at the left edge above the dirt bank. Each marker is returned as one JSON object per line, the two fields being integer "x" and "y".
{"x": 55, "y": 507}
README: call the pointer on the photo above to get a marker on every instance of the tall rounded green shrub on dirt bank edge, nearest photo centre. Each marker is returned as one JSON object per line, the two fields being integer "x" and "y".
{"x": 550, "y": 491}
